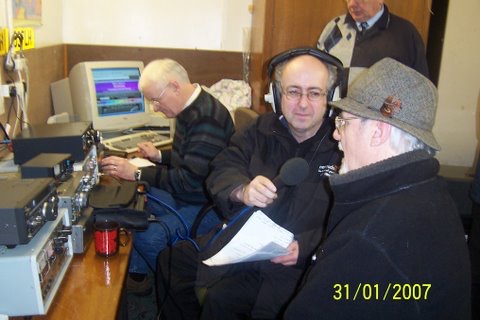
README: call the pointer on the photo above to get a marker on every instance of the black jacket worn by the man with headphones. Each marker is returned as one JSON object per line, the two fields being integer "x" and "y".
{"x": 262, "y": 149}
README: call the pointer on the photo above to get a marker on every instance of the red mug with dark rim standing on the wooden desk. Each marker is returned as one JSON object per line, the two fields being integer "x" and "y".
{"x": 107, "y": 237}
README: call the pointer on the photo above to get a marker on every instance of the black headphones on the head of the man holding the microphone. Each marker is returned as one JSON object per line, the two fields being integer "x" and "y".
{"x": 274, "y": 96}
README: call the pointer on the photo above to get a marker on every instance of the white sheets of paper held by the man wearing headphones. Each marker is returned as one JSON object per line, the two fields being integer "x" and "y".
{"x": 259, "y": 239}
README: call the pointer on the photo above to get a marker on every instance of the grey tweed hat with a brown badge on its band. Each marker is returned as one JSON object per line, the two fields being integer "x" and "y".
{"x": 393, "y": 93}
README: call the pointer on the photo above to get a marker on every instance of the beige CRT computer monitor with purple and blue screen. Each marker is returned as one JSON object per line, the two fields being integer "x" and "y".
{"x": 106, "y": 93}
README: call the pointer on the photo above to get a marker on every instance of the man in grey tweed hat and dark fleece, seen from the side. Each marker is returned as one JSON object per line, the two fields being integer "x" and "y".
{"x": 394, "y": 246}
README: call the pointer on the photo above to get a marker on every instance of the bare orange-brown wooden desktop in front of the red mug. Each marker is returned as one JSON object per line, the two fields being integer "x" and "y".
{"x": 92, "y": 287}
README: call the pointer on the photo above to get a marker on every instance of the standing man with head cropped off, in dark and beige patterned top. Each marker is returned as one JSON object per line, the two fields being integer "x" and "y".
{"x": 368, "y": 33}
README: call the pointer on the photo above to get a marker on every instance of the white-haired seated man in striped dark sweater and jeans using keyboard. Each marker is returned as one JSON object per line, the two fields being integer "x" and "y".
{"x": 203, "y": 128}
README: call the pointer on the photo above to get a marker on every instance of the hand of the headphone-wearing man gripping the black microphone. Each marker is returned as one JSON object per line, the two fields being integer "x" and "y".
{"x": 260, "y": 192}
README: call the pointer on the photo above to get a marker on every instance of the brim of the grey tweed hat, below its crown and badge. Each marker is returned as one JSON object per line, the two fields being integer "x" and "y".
{"x": 356, "y": 108}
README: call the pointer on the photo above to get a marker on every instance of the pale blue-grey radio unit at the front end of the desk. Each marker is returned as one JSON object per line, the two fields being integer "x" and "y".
{"x": 31, "y": 274}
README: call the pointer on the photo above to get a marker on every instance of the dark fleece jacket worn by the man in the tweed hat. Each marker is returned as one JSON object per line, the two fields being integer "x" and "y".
{"x": 394, "y": 249}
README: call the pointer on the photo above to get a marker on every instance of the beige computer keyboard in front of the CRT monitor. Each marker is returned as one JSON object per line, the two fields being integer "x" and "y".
{"x": 128, "y": 143}
